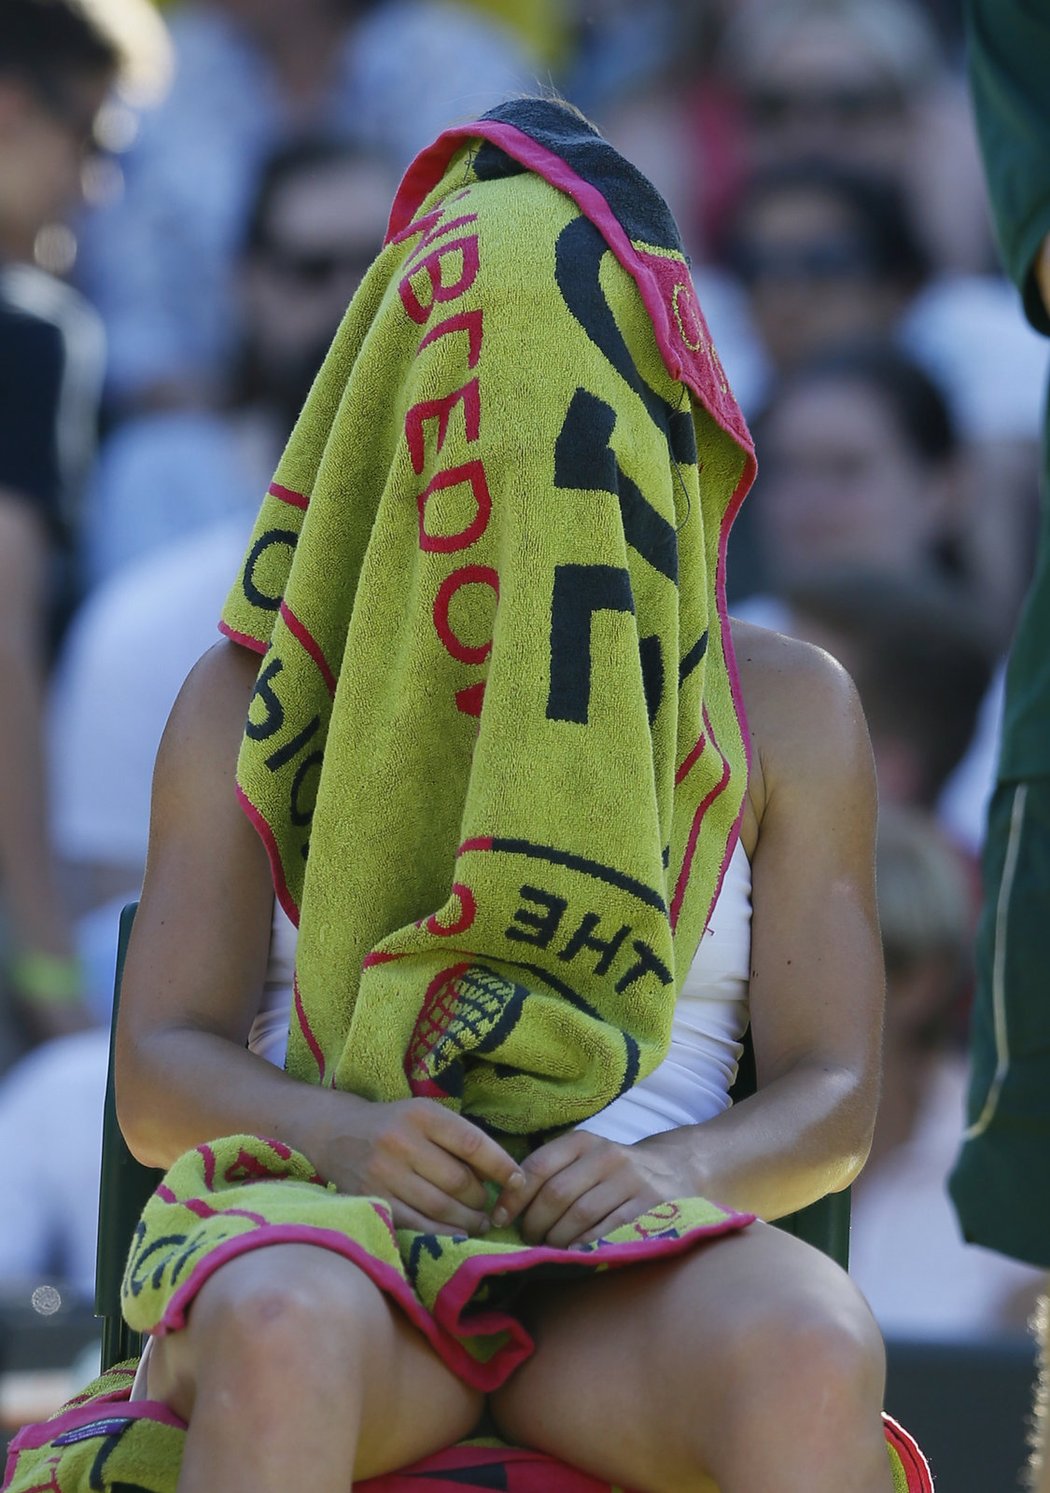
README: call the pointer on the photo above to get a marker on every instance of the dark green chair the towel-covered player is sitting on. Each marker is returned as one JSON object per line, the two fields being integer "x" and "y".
{"x": 126, "y": 1186}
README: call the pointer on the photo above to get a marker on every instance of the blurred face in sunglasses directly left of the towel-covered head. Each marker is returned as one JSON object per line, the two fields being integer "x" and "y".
{"x": 325, "y": 228}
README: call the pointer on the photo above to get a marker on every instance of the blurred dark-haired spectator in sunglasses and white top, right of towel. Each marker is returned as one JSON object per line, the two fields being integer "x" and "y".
{"x": 825, "y": 252}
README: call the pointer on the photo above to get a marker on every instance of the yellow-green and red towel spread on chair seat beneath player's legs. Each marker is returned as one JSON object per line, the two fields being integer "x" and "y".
{"x": 105, "y": 1444}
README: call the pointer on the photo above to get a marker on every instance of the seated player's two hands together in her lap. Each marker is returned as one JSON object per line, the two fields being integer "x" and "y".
{"x": 437, "y": 1171}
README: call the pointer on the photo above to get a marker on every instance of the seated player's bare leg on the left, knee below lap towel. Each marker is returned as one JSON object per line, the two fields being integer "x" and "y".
{"x": 296, "y": 1370}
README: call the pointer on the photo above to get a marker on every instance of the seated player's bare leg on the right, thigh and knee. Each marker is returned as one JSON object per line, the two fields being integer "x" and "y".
{"x": 751, "y": 1364}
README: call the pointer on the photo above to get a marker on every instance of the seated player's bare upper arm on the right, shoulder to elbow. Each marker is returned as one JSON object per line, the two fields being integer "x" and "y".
{"x": 818, "y": 983}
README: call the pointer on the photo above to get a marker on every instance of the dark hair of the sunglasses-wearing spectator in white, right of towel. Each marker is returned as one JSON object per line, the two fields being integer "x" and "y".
{"x": 876, "y": 205}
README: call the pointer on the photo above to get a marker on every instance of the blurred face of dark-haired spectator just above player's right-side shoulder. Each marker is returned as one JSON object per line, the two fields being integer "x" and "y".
{"x": 842, "y": 486}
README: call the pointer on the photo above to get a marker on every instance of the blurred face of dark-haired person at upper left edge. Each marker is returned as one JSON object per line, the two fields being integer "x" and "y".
{"x": 46, "y": 137}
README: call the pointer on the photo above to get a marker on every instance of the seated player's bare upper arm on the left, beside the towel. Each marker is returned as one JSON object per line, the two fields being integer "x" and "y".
{"x": 201, "y": 941}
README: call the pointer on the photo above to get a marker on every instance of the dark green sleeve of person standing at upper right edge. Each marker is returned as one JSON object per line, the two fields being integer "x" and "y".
{"x": 1010, "y": 80}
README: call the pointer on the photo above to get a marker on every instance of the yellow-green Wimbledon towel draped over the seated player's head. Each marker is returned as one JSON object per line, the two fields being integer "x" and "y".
{"x": 497, "y": 747}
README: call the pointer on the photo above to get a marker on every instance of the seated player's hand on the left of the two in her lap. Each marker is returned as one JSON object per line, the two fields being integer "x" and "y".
{"x": 426, "y": 1161}
